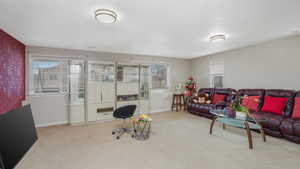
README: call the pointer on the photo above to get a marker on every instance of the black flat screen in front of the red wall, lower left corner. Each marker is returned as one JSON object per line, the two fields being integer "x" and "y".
{"x": 17, "y": 135}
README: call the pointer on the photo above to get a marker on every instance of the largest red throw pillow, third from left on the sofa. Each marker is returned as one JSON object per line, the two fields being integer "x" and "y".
{"x": 274, "y": 105}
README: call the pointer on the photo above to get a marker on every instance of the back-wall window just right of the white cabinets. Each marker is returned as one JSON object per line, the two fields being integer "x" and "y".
{"x": 159, "y": 76}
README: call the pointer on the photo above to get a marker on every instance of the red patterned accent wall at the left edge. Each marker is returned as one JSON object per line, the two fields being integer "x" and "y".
{"x": 12, "y": 72}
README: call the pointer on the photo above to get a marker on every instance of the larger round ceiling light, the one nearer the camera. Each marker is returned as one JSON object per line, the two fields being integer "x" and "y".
{"x": 106, "y": 16}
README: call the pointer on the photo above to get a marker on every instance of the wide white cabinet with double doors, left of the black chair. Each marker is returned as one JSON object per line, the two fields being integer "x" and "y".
{"x": 101, "y": 91}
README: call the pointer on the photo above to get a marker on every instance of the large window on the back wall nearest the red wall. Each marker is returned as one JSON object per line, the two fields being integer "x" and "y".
{"x": 48, "y": 76}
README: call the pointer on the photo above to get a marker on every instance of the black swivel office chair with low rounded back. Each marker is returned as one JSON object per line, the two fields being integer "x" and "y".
{"x": 124, "y": 113}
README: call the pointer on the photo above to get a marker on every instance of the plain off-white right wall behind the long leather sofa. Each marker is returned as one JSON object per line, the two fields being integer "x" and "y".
{"x": 269, "y": 65}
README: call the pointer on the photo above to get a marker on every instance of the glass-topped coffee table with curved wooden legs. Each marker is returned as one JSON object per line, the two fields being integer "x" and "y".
{"x": 249, "y": 123}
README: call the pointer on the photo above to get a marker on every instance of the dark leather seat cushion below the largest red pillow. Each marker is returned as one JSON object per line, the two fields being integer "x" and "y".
{"x": 268, "y": 120}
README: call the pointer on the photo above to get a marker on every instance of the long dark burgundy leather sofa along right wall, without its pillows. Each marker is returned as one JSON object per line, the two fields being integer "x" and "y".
{"x": 274, "y": 125}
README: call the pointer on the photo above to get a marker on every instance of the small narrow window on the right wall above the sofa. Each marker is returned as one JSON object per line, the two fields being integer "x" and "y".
{"x": 216, "y": 72}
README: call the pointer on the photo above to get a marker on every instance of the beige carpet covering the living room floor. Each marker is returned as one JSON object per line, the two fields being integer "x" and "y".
{"x": 179, "y": 141}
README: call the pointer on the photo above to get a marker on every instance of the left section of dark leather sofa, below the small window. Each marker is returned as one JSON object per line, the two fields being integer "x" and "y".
{"x": 203, "y": 109}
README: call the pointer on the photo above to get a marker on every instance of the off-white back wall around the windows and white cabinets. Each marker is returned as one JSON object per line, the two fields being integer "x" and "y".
{"x": 54, "y": 109}
